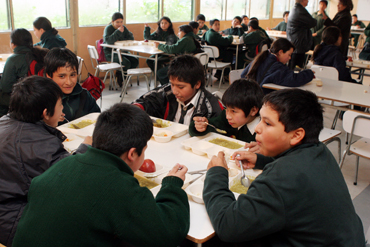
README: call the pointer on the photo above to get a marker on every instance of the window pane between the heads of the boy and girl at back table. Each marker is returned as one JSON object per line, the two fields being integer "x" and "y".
{"x": 142, "y": 11}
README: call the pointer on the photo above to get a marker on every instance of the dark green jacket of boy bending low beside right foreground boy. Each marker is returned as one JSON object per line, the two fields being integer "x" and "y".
{"x": 221, "y": 122}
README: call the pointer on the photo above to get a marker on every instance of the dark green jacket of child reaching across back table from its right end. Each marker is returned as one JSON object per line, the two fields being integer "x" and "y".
{"x": 184, "y": 45}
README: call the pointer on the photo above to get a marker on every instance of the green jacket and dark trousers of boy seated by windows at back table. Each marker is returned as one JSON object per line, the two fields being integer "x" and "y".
{"x": 112, "y": 35}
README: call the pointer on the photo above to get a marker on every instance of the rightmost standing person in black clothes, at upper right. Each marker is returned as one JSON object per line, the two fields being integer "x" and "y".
{"x": 342, "y": 20}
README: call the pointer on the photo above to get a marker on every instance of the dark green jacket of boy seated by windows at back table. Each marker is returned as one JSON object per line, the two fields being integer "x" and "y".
{"x": 112, "y": 35}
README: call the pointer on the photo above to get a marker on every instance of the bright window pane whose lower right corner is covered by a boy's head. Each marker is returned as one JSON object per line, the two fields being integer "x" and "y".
{"x": 96, "y": 12}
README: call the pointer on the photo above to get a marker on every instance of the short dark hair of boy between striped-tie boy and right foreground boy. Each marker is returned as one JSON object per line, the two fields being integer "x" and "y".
{"x": 243, "y": 94}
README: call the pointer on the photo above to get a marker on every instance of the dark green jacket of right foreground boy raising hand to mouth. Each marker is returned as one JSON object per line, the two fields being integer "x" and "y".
{"x": 300, "y": 199}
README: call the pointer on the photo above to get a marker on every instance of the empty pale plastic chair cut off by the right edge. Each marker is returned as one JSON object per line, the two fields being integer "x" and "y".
{"x": 357, "y": 123}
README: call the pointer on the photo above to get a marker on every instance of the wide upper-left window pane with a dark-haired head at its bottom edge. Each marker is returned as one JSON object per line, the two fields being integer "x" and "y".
{"x": 25, "y": 12}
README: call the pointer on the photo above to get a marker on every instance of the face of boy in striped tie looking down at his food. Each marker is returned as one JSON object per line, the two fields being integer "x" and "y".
{"x": 183, "y": 90}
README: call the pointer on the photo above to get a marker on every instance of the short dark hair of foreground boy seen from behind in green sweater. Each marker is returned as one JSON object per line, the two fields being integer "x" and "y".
{"x": 122, "y": 127}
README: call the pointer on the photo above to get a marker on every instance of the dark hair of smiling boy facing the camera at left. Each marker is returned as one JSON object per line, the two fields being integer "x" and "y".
{"x": 59, "y": 57}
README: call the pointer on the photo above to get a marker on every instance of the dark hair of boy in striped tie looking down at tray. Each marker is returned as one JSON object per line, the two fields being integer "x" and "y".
{"x": 187, "y": 68}
